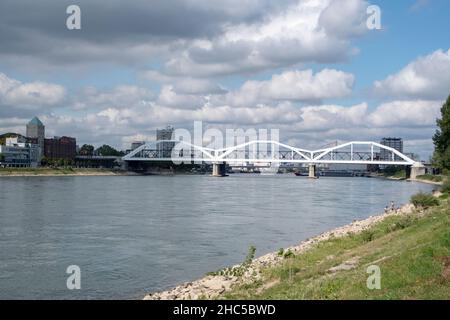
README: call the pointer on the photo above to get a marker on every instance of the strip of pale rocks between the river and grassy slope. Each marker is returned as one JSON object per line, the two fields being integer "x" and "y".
{"x": 211, "y": 287}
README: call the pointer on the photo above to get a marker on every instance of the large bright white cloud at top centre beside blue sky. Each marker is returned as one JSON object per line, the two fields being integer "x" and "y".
{"x": 308, "y": 31}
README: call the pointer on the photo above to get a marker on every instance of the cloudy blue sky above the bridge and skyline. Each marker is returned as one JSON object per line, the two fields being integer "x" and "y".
{"x": 310, "y": 68}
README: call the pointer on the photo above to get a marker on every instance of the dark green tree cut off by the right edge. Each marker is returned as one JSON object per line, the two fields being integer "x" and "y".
{"x": 441, "y": 139}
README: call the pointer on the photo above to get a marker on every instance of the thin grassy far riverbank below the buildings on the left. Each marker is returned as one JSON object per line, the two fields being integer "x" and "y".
{"x": 27, "y": 172}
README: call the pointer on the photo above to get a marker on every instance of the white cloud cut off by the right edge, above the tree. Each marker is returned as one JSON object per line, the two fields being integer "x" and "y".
{"x": 425, "y": 78}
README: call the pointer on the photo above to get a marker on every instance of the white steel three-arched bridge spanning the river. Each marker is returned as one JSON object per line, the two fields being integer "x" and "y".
{"x": 267, "y": 152}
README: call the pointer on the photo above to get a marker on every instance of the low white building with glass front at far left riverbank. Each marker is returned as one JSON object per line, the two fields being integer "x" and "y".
{"x": 17, "y": 153}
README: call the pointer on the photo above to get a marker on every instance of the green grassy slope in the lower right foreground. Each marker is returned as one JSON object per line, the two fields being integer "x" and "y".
{"x": 413, "y": 253}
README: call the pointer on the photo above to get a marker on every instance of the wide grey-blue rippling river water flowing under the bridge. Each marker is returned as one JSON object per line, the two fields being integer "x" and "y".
{"x": 131, "y": 235}
